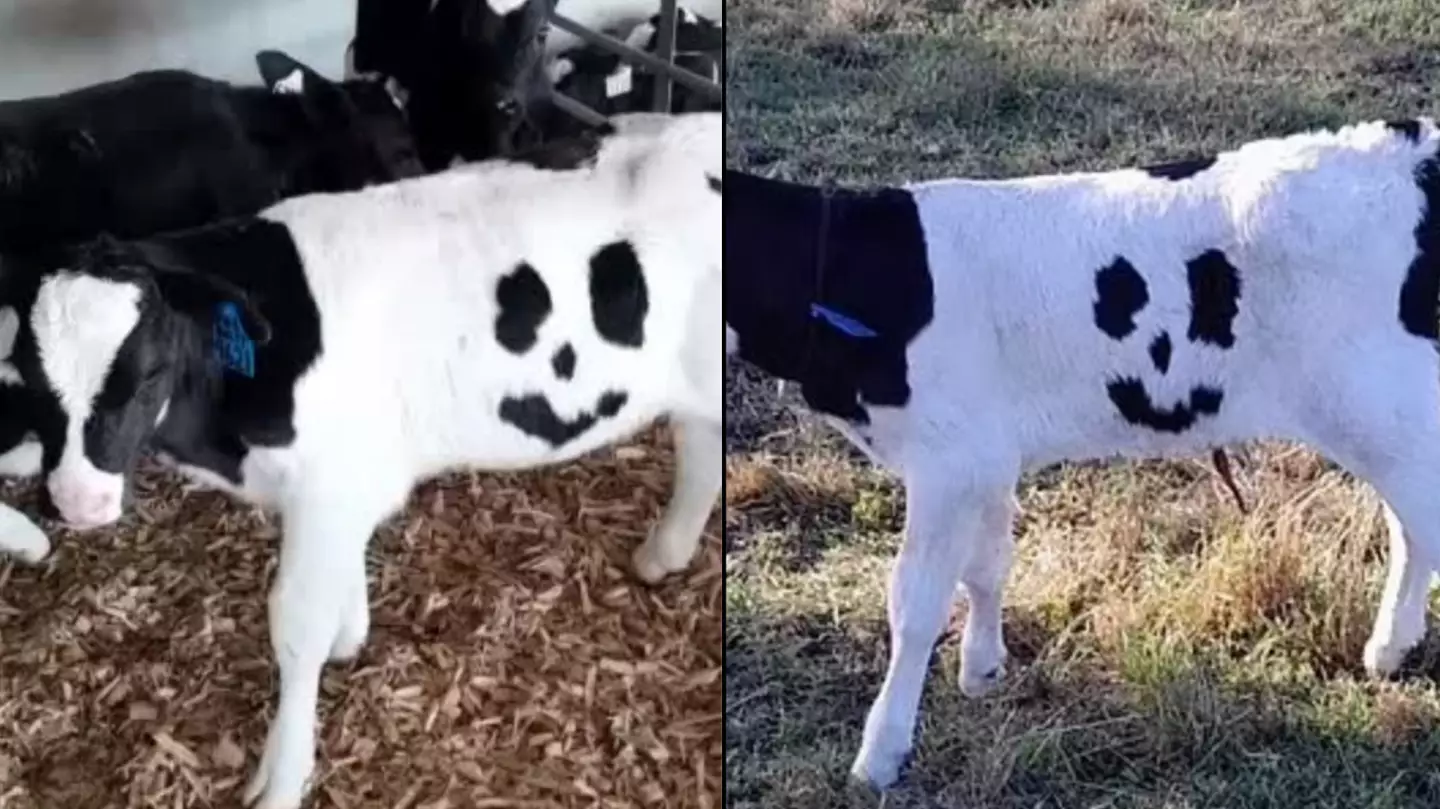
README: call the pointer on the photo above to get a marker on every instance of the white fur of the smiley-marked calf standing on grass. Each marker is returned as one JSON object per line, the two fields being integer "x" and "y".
{"x": 1012, "y": 374}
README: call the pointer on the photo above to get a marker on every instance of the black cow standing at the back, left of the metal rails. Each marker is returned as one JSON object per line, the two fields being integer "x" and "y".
{"x": 472, "y": 71}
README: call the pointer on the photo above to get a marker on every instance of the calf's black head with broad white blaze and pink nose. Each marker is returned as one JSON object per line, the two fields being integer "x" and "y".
{"x": 104, "y": 345}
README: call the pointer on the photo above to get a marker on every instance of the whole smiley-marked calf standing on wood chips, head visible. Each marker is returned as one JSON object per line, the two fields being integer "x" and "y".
{"x": 284, "y": 359}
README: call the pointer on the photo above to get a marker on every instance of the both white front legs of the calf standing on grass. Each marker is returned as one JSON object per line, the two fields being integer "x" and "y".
{"x": 945, "y": 525}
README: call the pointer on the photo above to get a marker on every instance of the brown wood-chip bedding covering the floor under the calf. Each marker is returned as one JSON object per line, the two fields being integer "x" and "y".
{"x": 513, "y": 661}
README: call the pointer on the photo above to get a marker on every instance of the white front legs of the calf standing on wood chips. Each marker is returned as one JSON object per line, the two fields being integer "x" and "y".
{"x": 312, "y": 601}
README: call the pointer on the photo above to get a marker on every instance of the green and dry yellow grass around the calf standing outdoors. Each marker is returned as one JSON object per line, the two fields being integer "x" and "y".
{"x": 1169, "y": 651}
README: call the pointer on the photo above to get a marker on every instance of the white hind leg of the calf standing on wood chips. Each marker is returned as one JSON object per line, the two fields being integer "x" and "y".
{"x": 699, "y": 477}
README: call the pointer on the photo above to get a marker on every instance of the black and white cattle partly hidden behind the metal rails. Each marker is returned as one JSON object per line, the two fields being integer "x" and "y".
{"x": 604, "y": 83}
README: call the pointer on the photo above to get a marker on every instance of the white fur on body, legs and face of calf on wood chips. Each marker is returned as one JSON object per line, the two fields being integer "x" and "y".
{"x": 413, "y": 376}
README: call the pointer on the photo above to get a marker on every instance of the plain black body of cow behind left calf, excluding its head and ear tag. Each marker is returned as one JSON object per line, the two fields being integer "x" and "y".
{"x": 152, "y": 152}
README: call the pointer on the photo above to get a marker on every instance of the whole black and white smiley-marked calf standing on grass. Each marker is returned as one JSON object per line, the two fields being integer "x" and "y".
{"x": 966, "y": 332}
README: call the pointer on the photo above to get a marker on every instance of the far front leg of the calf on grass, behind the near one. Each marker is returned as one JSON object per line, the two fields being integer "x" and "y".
{"x": 983, "y": 647}
